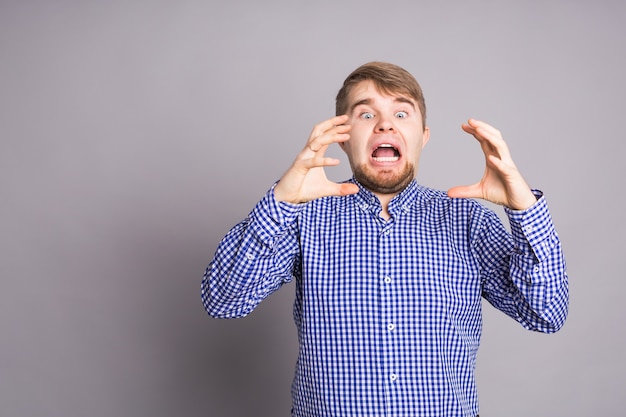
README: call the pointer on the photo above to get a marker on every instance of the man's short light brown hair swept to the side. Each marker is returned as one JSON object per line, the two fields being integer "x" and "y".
{"x": 388, "y": 79}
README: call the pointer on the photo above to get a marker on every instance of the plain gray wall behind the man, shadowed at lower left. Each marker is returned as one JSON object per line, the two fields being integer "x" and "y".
{"x": 134, "y": 134}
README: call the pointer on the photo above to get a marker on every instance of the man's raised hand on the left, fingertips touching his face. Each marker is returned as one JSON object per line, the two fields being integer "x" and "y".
{"x": 306, "y": 180}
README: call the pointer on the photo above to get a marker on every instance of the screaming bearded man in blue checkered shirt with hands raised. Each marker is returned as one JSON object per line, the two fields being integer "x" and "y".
{"x": 390, "y": 274}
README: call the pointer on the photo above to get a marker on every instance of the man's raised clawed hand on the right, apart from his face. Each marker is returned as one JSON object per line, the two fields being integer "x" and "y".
{"x": 501, "y": 183}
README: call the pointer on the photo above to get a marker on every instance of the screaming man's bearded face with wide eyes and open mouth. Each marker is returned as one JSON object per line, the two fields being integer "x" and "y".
{"x": 386, "y": 139}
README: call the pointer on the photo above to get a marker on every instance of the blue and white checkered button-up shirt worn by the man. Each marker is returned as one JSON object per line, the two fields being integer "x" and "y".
{"x": 389, "y": 312}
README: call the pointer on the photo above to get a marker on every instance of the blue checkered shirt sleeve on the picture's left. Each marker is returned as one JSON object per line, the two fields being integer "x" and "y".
{"x": 253, "y": 260}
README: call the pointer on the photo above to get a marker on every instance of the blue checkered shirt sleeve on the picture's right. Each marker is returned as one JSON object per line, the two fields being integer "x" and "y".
{"x": 526, "y": 278}
